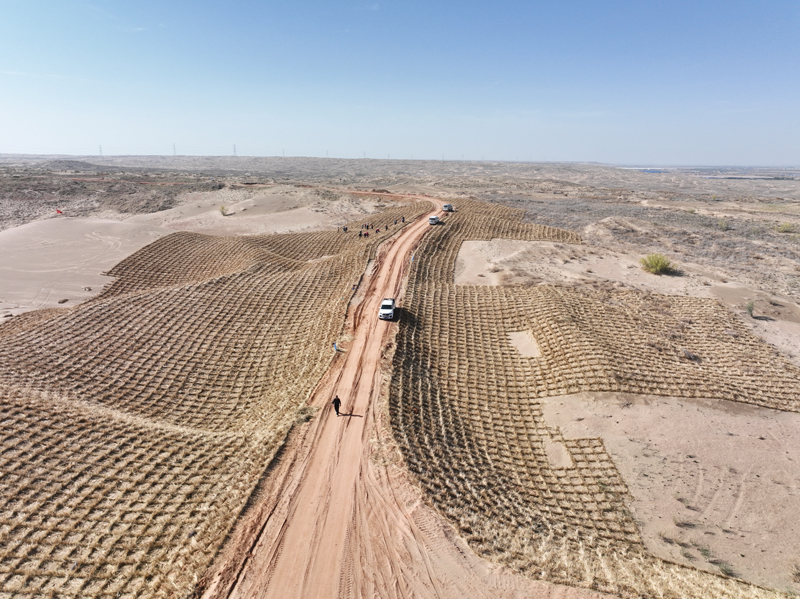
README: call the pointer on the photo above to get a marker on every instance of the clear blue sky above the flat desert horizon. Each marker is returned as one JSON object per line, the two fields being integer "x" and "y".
{"x": 644, "y": 82}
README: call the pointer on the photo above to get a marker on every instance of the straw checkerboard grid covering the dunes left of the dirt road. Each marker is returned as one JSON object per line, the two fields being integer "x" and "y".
{"x": 136, "y": 425}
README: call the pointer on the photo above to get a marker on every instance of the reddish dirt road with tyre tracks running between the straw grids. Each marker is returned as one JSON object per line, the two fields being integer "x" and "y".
{"x": 337, "y": 519}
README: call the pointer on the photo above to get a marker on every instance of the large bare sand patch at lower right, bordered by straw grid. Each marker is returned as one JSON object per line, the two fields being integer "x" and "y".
{"x": 715, "y": 484}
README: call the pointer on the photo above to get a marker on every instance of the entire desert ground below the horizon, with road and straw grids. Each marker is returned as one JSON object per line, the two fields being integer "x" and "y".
{"x": 543, "y": 418}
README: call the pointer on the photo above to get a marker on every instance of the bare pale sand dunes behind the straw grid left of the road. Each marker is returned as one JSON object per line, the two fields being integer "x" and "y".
{"x": 63, "y": 257}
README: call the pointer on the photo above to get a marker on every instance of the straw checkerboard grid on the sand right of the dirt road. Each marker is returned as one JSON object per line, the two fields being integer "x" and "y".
{"x": 468, "y": 410}
